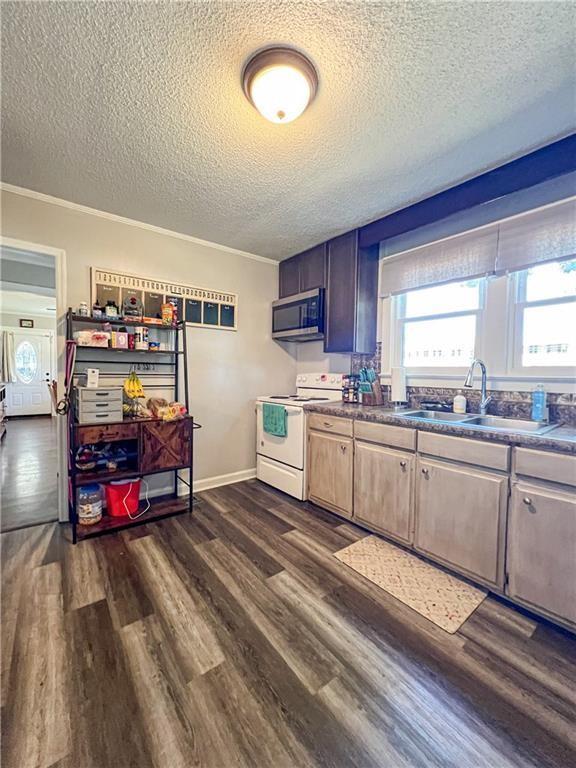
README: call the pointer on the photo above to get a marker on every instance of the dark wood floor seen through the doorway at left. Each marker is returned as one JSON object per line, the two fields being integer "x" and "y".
{"x": 28, "y": 469}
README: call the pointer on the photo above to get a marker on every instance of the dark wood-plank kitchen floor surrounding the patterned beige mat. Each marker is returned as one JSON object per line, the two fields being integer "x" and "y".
{"x": 233, "y": 637}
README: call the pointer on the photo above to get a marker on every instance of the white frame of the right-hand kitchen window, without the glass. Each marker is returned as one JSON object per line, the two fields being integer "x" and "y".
{"x": 518, "y": 303}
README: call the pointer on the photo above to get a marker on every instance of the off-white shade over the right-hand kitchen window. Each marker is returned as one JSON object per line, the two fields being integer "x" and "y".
{"x": 545, "y": 235}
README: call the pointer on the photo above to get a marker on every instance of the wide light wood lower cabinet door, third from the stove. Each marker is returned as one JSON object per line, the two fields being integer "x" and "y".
{"x": 460, "y": 518}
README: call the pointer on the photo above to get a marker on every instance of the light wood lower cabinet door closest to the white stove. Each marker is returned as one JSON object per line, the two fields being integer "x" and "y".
{"x": 331, "y": 471}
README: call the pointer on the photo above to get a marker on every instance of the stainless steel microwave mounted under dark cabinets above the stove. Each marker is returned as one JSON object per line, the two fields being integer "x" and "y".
{"x": 299, "y": 317}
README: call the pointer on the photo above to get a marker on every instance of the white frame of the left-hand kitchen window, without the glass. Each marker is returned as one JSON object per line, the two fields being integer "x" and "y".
{"x": 399, "y": 321}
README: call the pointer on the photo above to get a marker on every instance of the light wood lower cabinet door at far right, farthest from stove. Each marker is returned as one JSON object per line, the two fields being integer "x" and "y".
{"x": 542, "y": 549}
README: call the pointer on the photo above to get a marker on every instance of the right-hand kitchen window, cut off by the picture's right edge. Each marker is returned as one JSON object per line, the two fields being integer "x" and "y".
{"x": 545, "y": 319}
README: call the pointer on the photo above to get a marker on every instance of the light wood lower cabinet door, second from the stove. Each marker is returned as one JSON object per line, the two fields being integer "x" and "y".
{"x": 383, "y": 489}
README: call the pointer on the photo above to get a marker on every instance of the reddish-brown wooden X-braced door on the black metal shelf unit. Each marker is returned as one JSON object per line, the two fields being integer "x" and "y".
{"x": 165, "y": 445}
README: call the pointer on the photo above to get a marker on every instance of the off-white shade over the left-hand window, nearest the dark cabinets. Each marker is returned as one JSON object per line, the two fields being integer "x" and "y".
{"x": 472, "y": 254}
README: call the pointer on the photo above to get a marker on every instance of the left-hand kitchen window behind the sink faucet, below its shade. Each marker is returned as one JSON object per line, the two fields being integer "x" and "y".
{"x": 438, "y": 327}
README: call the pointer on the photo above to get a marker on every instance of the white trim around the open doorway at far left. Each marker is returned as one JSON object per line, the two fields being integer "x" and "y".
{"x": 61, "y": 304}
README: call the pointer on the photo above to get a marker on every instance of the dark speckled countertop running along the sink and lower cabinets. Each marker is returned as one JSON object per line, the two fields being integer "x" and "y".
{"x": 561, "y": 439}
